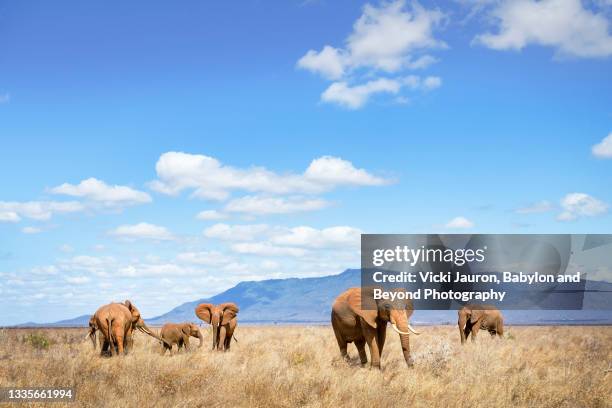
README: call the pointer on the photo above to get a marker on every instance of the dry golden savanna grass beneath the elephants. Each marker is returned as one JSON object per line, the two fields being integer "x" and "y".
{"x": 300, "y": 366}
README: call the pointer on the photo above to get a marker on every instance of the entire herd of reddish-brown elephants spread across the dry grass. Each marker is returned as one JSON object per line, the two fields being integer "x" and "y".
{"x": 356, "y": 317}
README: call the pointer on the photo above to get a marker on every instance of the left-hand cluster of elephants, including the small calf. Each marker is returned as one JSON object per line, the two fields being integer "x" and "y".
{"x": 117, "y": 322}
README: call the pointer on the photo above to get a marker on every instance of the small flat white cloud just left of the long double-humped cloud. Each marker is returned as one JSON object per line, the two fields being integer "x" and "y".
{"x": 98, "y": 191}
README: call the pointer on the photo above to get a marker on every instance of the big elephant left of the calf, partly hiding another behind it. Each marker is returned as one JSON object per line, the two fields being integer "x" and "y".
{"x": 116, "y": 322}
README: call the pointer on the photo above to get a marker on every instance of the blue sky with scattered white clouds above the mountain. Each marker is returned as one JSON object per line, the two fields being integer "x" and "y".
{"x": 296, "y": 125}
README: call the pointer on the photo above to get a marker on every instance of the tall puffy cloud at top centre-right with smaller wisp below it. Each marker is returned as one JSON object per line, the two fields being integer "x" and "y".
{"x": 389, "y": 39}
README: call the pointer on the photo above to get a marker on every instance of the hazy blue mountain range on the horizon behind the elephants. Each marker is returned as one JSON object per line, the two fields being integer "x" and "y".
{"x": 308, "y": 301}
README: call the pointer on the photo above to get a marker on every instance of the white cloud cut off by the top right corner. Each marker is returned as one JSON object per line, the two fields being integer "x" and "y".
{"x": 565, "y": 25}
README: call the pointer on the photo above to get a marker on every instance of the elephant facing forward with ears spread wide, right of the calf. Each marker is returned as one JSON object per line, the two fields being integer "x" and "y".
{"x": 223, "y": 319}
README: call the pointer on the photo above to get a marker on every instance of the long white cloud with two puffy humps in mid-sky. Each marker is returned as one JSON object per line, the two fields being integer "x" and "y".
{"x": 210, "y": 179}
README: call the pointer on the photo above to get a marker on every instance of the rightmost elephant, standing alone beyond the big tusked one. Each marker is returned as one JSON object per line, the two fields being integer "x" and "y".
{"x": 472, "y": 318}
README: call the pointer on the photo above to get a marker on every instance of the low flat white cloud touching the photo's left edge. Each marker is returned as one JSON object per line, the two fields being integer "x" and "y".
{"x": 37, "y": 210}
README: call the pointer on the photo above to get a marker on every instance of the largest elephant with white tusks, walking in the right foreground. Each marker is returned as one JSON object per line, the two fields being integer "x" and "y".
{"x": 353, "y": 323}
